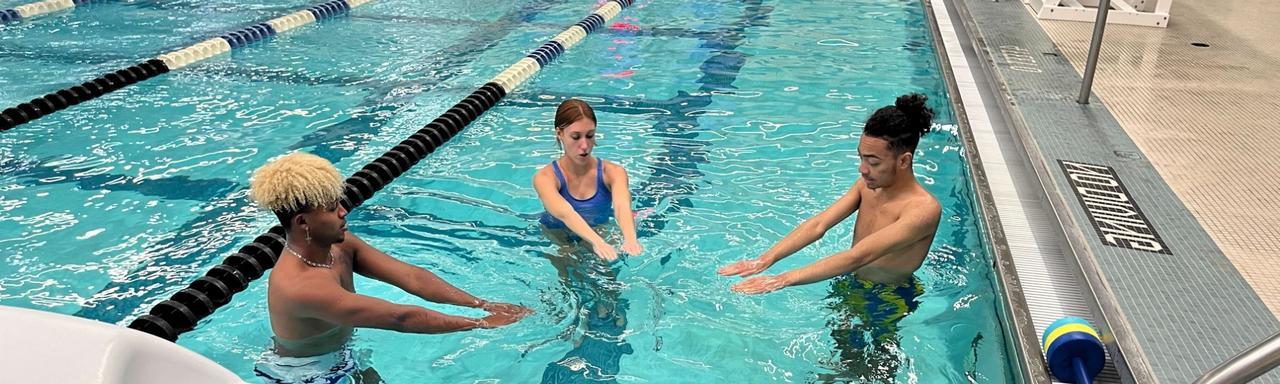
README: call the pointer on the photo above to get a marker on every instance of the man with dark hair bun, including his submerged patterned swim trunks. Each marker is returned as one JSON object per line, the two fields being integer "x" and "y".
{"x": 875, "y": 278}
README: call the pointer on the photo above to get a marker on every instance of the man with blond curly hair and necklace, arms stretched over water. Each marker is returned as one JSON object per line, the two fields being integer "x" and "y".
{"x": 312, "y": 300}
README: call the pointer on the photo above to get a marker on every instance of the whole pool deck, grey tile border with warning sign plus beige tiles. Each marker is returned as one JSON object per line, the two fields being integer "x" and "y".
{"x": 1167, "y": 186}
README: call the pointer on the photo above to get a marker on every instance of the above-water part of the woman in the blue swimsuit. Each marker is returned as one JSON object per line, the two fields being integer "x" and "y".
{"x": 579, "y": 190}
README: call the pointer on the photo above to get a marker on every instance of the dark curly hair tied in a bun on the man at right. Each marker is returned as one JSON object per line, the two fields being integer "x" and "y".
{"x": 902, "y": 124}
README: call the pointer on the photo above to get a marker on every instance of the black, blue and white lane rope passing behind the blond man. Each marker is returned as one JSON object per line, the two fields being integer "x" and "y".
{"x": 185, "y": 309}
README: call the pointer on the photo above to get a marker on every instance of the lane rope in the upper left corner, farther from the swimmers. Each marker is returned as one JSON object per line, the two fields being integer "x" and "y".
{"x": 107, "y": 84}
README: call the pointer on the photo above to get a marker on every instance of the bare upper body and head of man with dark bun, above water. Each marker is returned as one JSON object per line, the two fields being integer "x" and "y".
{"x": 897, "y": 218}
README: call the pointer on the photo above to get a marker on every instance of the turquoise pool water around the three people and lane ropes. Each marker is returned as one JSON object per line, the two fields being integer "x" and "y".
{"x": 737, "y": 122}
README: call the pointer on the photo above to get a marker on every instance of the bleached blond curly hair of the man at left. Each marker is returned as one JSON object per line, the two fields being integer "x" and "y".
{"x": 296, "y": 184}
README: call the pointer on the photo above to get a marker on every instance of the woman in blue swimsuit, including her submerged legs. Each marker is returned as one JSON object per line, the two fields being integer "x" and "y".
{"x": 580, "y": 194}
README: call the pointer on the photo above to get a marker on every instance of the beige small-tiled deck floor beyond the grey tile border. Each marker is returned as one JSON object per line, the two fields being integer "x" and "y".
{"x": 1208, "y": 118}
